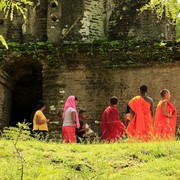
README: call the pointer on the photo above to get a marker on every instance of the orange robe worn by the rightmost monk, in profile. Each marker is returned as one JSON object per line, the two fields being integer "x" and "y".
{"x": 164, "y": 127}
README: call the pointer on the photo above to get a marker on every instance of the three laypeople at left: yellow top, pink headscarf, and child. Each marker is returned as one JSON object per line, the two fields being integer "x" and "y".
{"x": 74, "y": 128}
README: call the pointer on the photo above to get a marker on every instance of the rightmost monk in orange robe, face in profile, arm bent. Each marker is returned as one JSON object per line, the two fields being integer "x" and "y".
{"x": 165, "y": 118}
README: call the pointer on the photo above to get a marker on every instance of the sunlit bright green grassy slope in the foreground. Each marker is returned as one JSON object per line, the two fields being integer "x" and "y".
{"x": 45, "y": 161}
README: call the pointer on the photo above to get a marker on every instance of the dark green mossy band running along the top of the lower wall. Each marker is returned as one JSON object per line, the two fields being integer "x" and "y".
{"x": 110, "y": 54}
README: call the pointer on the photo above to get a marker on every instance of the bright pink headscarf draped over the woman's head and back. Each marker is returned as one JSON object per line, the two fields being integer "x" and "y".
{"x": 70, "y": 102}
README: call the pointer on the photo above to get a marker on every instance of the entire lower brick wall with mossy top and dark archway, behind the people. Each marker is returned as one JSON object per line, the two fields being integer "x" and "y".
{"x": 91, "y": 71}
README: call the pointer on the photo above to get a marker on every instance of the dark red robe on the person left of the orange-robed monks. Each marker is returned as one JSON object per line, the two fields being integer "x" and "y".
{"x": 112, "y": 129}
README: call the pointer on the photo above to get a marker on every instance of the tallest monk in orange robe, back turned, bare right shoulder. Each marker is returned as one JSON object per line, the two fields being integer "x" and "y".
{"x": 140, "y": 127}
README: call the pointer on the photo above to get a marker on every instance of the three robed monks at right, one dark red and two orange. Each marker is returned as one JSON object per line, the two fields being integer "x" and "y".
{"x": 140, "y": 123}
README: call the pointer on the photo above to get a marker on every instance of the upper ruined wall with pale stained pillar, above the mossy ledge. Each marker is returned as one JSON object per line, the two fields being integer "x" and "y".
{"x": 86, "y": 20}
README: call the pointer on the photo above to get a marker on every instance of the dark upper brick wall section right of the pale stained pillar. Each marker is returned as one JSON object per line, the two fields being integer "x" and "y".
{"x": 126, "y": 22}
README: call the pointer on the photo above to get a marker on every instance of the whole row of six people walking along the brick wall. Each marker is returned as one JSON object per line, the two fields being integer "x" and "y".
{"x": 140, "y": 124}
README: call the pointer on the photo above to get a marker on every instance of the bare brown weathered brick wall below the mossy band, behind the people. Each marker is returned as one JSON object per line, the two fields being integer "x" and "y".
{"x": 93, "y": 82}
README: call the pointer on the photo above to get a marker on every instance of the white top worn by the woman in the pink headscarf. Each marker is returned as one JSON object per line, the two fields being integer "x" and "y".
{"x": 68, "y": 117}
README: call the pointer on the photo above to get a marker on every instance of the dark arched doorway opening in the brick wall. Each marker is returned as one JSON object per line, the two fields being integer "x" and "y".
{"x": 27, "y": 90}
